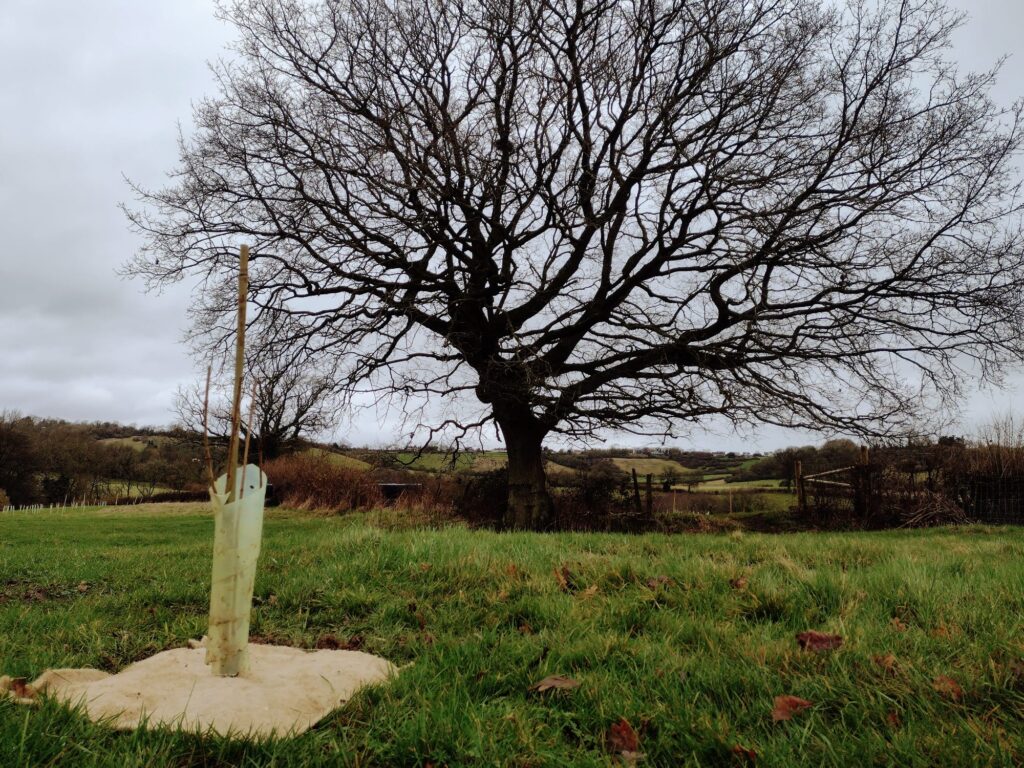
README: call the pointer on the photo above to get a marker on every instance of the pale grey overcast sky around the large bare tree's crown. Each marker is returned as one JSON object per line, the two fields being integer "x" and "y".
{"x": 95, "y": 92}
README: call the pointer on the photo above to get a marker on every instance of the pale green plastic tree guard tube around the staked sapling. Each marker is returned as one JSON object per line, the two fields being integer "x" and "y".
{"x": 238, "y": 532}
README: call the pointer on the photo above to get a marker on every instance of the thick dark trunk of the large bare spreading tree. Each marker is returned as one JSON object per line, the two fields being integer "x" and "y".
{"x": 530, "y": 505}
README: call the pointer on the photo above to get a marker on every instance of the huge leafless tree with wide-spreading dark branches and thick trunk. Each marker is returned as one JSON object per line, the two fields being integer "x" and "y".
{"x": 610, "y": 214}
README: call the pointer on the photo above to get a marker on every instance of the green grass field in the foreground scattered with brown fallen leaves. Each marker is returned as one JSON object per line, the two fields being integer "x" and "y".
{"x": 650, "y": 626}
